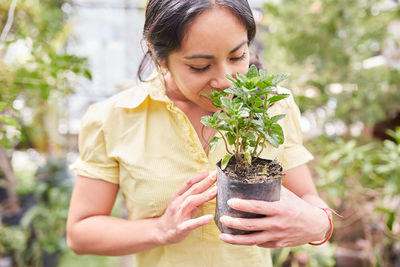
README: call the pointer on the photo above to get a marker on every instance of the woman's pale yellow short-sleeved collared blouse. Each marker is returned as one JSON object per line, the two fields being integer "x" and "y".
{"x": 141, "y": 141}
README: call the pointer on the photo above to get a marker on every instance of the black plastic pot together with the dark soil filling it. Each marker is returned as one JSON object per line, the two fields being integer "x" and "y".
{"x": 246, "y": 184}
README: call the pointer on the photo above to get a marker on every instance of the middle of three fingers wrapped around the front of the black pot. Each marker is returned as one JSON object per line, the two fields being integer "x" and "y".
{"x": 254, "y": 224}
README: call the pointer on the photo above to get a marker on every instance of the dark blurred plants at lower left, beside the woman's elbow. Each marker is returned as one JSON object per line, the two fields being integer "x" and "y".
{"x": 42, "y": 228}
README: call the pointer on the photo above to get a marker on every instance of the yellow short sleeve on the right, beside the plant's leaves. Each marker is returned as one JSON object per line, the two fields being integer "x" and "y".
{"x": 294, "y": 153}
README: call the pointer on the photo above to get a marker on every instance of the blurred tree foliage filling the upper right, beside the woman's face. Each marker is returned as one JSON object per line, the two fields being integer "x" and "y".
{"x": 326, "y": 42}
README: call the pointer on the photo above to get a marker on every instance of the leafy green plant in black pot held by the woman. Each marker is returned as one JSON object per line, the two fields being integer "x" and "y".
{"x": 245, "y": 126}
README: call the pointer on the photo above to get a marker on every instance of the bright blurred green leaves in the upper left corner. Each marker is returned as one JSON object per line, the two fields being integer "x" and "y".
{"x": 35, "y": 68}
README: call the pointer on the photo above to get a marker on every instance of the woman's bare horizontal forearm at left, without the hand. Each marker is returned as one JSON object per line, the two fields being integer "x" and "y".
{"x": 110, "y": 236}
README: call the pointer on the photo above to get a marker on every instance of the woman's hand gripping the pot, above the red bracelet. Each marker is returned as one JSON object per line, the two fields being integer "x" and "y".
{"x": 289, "y": 222}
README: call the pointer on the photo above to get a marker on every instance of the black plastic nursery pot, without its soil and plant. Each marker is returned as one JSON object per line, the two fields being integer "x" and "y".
{"x": 229, "y": 188}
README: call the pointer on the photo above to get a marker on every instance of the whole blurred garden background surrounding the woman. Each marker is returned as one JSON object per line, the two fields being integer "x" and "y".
{"x": 59, "y": 56}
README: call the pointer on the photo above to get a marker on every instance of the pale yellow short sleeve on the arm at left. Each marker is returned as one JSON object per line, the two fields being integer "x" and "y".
{"x": 94, "y": 161}
